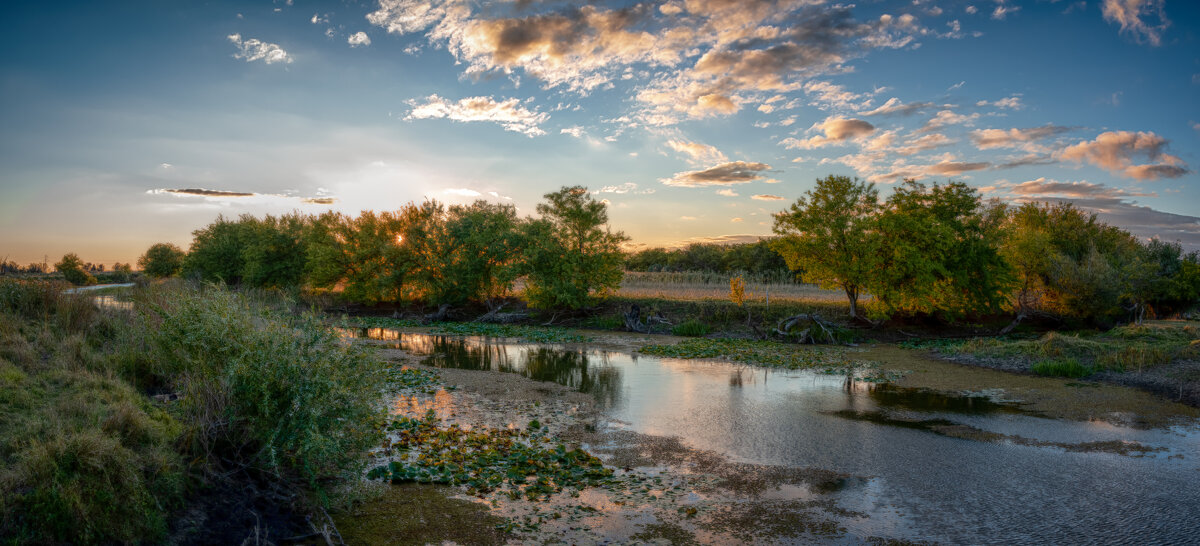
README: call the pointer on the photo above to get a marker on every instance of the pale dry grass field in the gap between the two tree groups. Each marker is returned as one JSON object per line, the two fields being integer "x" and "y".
{"x": 701, "y": 286}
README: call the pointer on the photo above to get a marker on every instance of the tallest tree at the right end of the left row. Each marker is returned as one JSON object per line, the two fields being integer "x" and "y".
{"x": 569, "y": 257}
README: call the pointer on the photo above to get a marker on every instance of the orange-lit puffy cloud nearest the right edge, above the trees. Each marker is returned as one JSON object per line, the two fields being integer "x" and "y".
{"x": 1115, "y": 152}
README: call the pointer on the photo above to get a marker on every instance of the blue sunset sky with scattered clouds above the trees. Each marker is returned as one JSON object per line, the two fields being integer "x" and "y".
{"x": 125, "y": 124}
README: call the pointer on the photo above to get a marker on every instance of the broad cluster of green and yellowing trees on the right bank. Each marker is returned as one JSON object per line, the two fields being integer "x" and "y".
{"x": 940, "y": 250}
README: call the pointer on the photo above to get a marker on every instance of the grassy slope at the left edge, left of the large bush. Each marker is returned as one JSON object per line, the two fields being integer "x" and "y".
{"x": 85, "y": 459}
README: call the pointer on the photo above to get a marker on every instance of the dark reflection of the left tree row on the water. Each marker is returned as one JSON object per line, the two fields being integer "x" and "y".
{"x": 574, "y": 369}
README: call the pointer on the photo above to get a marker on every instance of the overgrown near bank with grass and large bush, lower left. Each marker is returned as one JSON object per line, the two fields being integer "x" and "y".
{"x": 88, "y": 458}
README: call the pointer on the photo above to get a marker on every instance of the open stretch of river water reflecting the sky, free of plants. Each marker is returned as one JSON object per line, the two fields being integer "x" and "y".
{"x": 922, "y": 487}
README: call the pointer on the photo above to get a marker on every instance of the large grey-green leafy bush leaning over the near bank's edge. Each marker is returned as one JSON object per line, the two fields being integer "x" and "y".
{"x": 283, "y": 394}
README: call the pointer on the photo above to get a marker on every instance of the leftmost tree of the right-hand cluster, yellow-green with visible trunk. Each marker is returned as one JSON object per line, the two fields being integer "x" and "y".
{"x": 830, "y": 235}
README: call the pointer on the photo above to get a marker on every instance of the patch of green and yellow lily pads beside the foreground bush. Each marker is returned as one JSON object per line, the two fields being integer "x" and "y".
{"x": 488, "y": 459}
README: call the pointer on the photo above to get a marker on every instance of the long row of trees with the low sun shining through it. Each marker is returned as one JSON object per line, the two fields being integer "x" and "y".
{"x": 425, "y": 253}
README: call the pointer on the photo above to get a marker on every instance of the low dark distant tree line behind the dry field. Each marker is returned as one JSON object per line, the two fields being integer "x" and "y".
{"x": 710, "y": 257}
